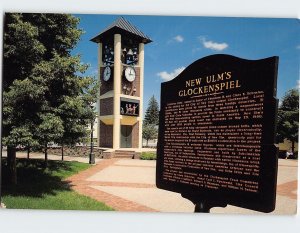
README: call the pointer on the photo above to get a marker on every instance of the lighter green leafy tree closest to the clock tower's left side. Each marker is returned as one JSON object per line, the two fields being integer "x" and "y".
{"x": 67, "y": 95}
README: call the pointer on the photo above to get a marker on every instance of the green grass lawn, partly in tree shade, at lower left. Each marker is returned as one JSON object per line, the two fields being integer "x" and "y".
{"x": 46, "y": 188}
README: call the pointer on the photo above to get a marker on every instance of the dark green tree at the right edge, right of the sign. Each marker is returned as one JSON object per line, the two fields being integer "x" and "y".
{"x": 288, "y": 117}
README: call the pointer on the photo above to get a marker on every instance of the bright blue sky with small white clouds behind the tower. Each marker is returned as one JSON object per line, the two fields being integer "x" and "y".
{"x": 179, "y": 41}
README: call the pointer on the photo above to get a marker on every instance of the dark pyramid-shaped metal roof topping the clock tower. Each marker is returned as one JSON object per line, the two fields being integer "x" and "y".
{"x": 122, "y": 26}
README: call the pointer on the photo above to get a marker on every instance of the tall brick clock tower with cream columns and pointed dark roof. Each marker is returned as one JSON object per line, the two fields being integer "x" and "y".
{"x": 121, "y": 75}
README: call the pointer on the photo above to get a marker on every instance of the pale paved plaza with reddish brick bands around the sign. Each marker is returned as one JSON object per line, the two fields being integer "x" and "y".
{"x": 129, "y": 185}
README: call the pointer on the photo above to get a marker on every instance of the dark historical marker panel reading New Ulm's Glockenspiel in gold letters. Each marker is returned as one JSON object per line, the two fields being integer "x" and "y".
{"x": 217, "y": 130}
